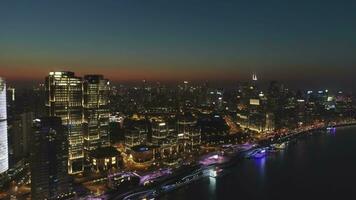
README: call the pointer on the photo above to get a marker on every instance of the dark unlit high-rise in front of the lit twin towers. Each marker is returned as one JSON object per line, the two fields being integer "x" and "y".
{"x": 48, "y": 160}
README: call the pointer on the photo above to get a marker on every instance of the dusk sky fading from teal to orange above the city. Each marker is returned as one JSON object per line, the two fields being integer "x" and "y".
{"x": 309, "y": 42}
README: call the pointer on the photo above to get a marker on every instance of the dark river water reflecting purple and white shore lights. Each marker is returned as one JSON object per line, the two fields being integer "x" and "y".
{"x": 321, "y": 166}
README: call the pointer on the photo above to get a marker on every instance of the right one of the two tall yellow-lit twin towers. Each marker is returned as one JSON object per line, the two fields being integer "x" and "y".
{"x": 96, "y": 92}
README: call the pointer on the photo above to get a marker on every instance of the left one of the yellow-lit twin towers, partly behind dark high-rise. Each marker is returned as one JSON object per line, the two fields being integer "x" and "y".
{"x": 64, "y": 99}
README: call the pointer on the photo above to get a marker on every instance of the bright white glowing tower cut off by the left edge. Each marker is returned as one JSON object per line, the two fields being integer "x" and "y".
{"x": 4, "y": 159}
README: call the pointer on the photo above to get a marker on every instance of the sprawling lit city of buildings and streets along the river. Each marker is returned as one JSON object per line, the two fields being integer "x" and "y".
{"x": 117, "y": 142}
